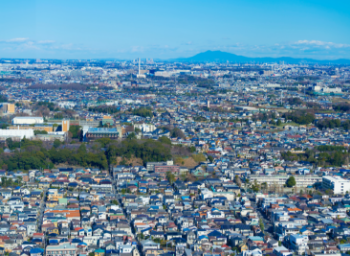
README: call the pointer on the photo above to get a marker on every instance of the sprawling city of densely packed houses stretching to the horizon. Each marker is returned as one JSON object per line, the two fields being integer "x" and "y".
{"x": 108, "y": 159}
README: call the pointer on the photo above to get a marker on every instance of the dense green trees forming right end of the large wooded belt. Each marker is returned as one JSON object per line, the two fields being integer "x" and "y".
{"x": 148, "y": 151}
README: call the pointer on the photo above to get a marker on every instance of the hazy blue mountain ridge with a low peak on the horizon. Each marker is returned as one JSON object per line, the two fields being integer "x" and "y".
{"x": 219, "y": 56}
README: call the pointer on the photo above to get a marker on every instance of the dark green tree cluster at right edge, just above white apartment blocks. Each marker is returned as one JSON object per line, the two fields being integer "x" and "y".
{"x": 321, "y": 156}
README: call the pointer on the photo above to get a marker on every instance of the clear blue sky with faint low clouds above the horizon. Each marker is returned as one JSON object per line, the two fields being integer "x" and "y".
{"x": 169, "y": 29}
